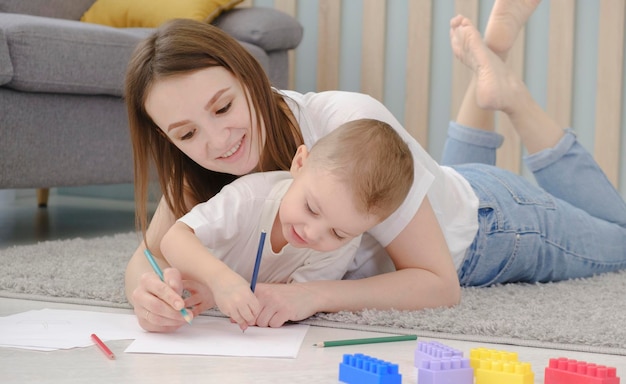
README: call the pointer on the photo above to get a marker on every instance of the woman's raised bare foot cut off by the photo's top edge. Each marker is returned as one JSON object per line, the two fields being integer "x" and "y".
{"x": 506, "y": 20}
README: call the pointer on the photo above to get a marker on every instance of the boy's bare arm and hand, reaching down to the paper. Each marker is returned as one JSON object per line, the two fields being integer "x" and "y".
{"x": 232, "y": 294}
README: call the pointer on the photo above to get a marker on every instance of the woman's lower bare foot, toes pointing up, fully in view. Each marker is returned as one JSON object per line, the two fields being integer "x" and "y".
{"x": 496, "y": 85}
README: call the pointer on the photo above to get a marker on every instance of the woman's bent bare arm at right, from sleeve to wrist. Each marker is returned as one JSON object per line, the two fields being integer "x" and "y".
{"x": 425, "y": 275}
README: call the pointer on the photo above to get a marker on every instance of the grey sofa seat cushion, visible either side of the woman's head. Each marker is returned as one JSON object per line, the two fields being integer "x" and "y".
{"x": 65, "y": 56}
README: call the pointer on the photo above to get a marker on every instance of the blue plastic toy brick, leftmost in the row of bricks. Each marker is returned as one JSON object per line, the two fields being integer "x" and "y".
{"x": 363, "y": 369}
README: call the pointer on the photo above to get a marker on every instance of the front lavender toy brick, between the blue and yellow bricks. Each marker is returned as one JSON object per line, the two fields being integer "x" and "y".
{"x": 448, "y": 370}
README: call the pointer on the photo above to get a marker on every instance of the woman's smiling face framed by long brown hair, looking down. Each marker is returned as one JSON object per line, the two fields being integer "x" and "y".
{"x": 205, "y": 114}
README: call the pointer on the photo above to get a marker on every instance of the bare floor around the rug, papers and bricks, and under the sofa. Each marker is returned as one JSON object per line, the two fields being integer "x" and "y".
{"x": 22, "y": 222}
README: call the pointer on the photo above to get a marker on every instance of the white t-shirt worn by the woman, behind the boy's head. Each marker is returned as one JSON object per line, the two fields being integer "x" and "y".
{"x": 450, "y": 195}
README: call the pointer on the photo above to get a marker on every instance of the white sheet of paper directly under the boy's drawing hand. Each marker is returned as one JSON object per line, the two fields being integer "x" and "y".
{"x": 219, "y": 337}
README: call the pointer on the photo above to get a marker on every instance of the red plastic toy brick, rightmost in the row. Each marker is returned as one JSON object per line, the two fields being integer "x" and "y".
{"x": 567, "y": 371}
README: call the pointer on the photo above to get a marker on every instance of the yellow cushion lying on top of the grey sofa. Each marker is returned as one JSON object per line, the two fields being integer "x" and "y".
{"x": 152, "y": 13}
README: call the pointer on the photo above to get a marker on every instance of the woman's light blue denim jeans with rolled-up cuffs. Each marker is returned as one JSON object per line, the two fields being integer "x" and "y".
{"x": 572, "y": 225}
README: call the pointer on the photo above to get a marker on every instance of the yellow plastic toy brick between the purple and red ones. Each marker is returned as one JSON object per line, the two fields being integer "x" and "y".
{"x": 497, "y": 367}
